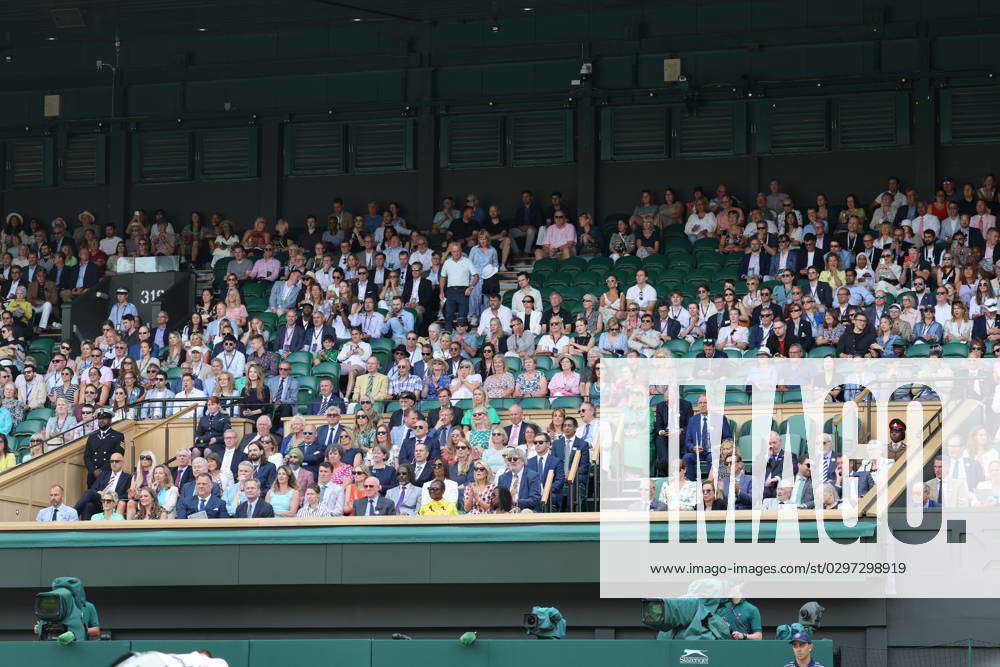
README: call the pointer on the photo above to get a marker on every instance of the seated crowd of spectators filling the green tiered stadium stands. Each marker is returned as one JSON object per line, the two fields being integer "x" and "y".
{"x": 408, "y": 332}
